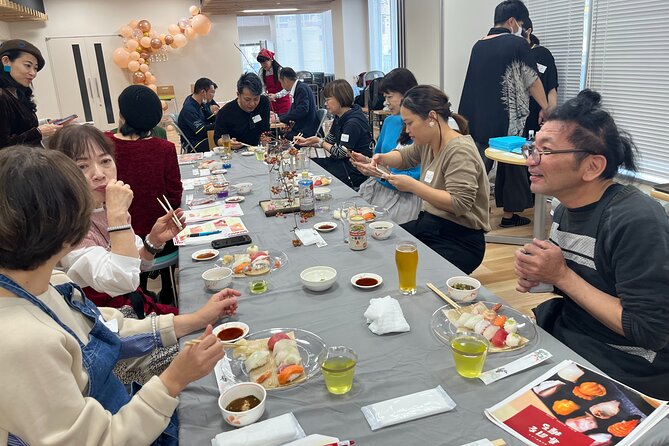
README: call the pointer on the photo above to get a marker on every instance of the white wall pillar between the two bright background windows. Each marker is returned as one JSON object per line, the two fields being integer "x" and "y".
{"x": 350, "y": 32}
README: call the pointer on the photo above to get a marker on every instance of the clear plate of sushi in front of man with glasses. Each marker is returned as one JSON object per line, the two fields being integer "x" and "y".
{"x": 506, "y": 329}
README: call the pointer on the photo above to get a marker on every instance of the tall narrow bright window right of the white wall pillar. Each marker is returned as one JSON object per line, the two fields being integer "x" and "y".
{"x": 383, "y": 34}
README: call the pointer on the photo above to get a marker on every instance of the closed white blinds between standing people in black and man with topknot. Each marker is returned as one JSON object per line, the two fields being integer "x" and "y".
{"x": 559, "y": 27}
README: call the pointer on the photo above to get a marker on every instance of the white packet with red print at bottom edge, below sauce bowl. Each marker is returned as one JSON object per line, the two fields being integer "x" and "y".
{"x": 272, "y": 432}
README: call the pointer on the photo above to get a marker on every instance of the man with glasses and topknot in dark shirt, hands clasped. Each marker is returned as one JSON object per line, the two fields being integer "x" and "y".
{"x": 608, "y": 253}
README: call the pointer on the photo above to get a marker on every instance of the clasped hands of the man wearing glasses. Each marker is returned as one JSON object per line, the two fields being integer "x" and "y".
{"x": 539, "y": 261}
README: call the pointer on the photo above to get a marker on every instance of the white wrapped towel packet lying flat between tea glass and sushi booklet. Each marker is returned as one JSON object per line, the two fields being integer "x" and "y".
{"x": 407, "y": 408}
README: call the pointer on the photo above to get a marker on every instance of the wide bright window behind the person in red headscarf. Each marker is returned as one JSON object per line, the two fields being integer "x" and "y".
{"x": 304, "y": 42}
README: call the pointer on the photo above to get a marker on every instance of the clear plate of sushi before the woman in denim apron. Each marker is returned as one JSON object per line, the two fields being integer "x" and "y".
{"x": 277, "y": 358}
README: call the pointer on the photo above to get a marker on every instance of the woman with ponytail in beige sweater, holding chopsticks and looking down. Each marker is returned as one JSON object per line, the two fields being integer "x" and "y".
{"x": 453, "y": 182}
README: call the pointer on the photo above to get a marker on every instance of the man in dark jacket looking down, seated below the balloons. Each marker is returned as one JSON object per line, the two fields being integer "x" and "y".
{"x": 193, "y": 121}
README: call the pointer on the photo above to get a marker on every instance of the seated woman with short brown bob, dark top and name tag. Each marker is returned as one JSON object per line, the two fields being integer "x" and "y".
{"x": 349, "y": 132}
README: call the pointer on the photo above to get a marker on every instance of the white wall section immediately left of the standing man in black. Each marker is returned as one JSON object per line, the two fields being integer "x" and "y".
{"x": 464, "y": 24}
